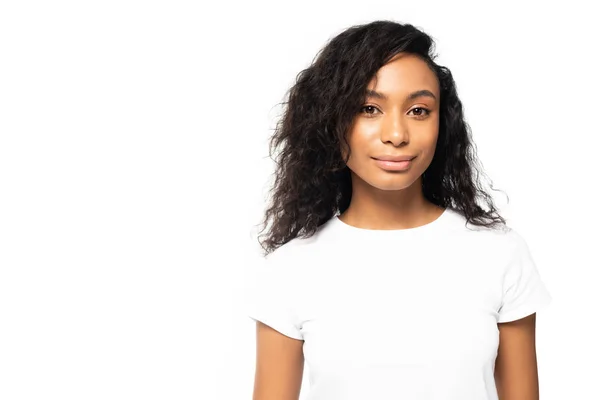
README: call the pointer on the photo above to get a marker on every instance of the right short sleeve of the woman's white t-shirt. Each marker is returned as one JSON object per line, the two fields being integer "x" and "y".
{"x": 524, "y": 291}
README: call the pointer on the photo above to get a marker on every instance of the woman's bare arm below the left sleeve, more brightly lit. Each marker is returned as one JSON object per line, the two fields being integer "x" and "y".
{"x": 279, "y": 365}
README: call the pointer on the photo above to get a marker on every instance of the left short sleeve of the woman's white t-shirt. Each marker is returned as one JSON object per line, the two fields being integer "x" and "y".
{"x": 271, "y": 296}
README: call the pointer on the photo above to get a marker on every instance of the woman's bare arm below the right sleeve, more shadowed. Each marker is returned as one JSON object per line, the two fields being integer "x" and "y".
{"x": 516, "y": 372}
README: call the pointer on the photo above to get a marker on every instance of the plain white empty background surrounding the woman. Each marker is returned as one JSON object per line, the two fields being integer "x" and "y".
{"x": 133, "y": 169}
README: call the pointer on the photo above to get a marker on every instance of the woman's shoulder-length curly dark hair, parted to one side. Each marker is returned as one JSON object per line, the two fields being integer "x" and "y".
{"x": 312, "y": 182}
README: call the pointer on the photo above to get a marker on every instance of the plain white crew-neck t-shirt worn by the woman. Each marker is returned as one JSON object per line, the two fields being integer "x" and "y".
{"x": 398, "y": 314}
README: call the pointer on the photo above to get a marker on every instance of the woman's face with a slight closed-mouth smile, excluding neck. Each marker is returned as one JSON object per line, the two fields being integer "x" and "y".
{"x": 399, "y": 118}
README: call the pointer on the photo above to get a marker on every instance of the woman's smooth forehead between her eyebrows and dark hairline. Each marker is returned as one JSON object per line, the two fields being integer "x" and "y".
{"x": 404, "y": 73}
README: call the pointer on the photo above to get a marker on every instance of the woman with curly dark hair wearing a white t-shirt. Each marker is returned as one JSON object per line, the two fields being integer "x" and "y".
{"x": 382, "y": 271}
